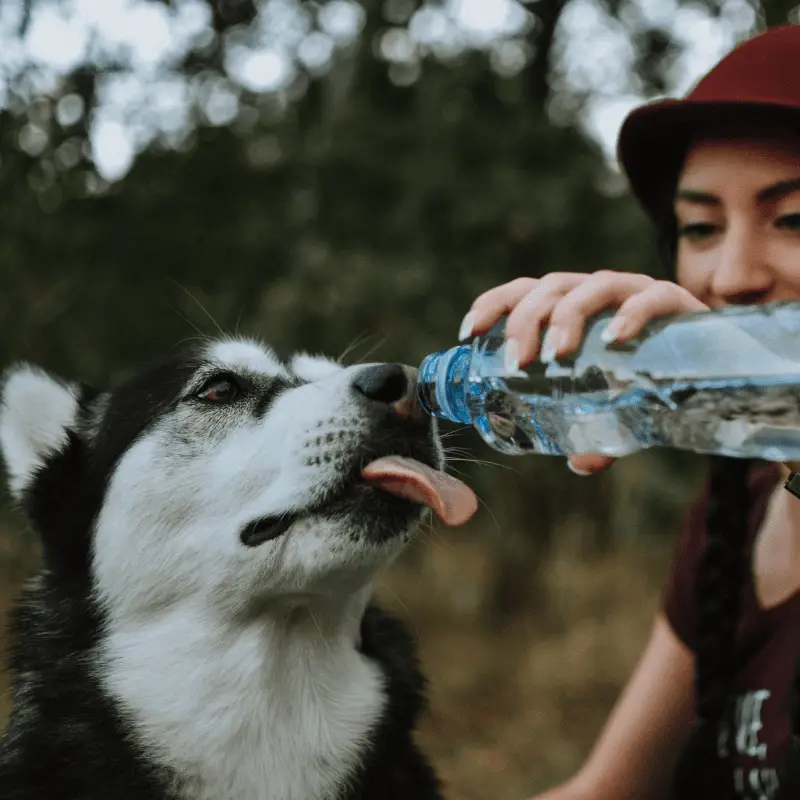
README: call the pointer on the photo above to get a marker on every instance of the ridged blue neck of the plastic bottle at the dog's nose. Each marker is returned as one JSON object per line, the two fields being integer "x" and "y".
{"x": 442, "y": 384}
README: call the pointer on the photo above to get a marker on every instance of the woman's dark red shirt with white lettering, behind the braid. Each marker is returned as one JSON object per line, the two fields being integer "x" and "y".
{"x": 769, "y": 644}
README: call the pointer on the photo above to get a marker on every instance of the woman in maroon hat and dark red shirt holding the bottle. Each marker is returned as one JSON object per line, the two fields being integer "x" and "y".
{"x": 707, "y": 711}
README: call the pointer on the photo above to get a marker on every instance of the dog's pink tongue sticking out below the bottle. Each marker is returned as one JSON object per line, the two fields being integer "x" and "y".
{"x": 451, "y": 499}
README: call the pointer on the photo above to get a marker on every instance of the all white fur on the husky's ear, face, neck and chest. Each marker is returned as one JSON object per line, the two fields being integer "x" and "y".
{"x": 239, "y": 666}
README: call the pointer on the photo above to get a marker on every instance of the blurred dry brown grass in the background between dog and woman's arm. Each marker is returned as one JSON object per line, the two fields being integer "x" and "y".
{"x": 514, "y": 706}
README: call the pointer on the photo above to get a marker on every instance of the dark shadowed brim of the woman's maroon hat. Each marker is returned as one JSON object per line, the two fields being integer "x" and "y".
{"x": 654, "y": 139}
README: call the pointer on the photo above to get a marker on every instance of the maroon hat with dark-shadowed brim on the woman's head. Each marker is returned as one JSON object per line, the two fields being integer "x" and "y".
{"x": 759, "y": 79}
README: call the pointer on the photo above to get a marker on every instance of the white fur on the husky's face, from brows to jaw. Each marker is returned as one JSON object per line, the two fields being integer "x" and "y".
{"x": 181, "y": 495}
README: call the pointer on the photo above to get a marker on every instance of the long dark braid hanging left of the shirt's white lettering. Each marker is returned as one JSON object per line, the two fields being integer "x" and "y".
{"x": 720, "y": 578}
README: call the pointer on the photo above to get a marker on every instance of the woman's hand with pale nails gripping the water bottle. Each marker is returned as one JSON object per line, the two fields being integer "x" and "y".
{"x": 562, "y": 302}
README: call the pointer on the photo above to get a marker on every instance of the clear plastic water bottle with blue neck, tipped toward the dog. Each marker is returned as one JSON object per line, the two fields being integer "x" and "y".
{"x": 724, "y": 381}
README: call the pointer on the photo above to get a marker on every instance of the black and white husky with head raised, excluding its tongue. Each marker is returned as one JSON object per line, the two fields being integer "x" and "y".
{"x": 202, "y": 627}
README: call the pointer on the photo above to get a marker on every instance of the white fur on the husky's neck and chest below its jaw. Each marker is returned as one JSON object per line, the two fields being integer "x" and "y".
{"x": 275, "y": 706}
